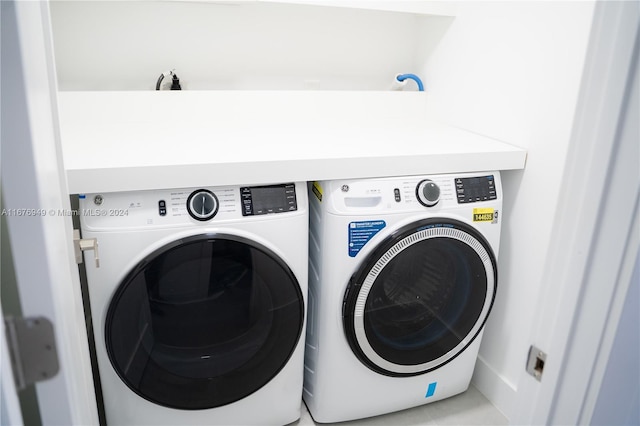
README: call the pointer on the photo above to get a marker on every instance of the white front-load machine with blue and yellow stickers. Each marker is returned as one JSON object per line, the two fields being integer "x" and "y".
{"x": 402, "y": 277}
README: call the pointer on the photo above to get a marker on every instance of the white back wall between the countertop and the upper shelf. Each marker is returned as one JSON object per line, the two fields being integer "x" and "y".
{"x": 125, "y": 45}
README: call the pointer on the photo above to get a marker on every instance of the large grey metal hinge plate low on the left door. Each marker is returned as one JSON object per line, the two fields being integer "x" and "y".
{"x": 32, "y": 349}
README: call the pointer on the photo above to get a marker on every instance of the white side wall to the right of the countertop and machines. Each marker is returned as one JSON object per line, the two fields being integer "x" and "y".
{"x": 511, "y": 70}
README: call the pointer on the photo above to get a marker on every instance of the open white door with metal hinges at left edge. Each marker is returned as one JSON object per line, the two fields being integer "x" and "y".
{"x": 36, "y": 204}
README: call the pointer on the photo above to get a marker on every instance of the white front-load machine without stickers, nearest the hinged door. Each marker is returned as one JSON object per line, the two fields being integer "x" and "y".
{"x": 198, "y": 299}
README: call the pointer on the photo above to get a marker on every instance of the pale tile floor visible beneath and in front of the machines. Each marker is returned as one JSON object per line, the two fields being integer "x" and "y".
{"x": 468, "y": 408}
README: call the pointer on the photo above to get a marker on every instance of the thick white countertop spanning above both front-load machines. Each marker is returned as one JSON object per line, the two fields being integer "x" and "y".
{"x": 119, "y": 141}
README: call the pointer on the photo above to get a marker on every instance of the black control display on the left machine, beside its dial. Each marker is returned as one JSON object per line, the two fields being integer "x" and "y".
{"x": 259, "y": 200}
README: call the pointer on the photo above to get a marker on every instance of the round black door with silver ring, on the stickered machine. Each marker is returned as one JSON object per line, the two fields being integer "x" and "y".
{"x": 420, "y": 298}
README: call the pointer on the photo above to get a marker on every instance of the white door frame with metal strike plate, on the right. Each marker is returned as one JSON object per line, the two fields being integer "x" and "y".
{"x": 596, "y": 236}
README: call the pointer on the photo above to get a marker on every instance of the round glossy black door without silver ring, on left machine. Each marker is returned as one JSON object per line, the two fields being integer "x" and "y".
{"x": 204, "y": 321}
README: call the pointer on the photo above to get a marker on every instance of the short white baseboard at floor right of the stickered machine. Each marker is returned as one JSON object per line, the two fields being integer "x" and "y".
{"x": 494, "y": 387}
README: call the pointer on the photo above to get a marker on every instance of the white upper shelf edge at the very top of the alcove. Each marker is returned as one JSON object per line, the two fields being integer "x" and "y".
{"x": 420, "y": 7}
